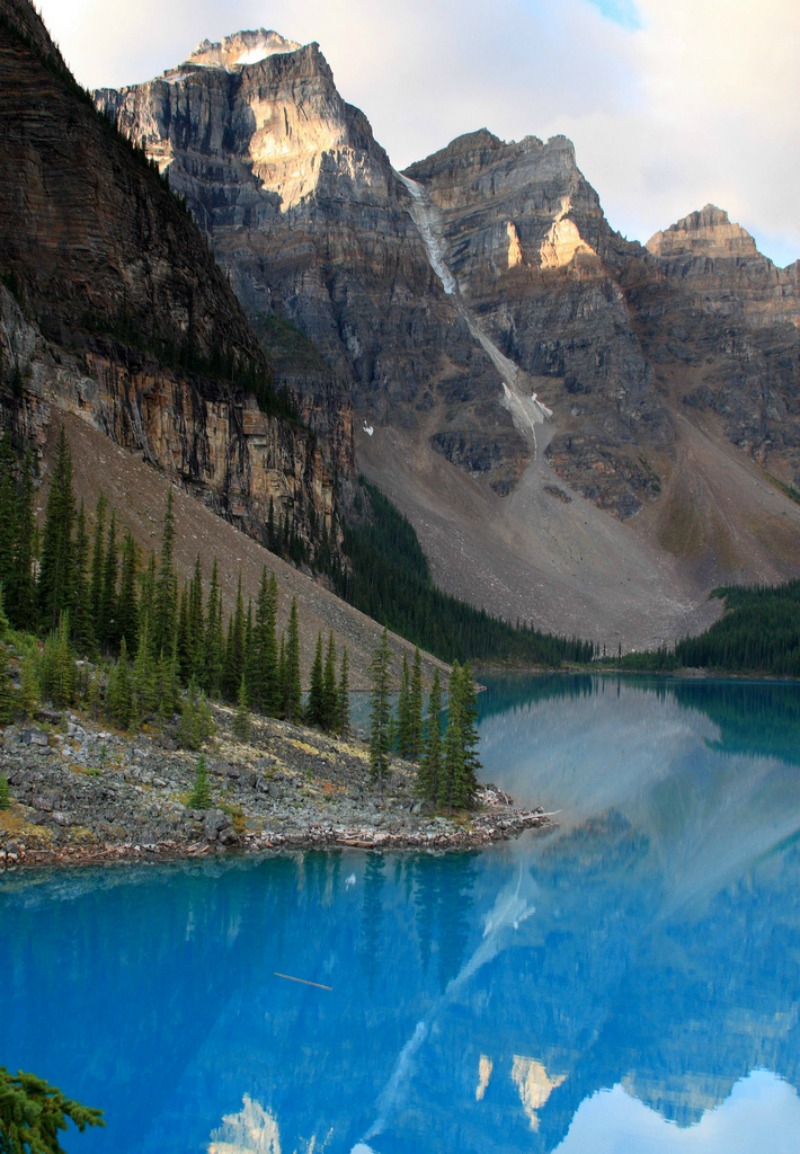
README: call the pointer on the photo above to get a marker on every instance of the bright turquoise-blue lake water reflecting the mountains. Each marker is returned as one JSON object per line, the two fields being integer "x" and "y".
{"x": 626, "y": 985}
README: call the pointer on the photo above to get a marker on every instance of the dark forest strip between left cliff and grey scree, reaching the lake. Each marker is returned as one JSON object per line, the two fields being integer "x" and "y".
{"x": 390, "y": 581}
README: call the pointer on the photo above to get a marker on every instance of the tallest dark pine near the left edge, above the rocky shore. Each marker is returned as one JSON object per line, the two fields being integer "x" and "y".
{"x": 56, "y": 568}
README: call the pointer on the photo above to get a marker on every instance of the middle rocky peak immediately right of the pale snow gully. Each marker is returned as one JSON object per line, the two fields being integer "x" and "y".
{"x": 535, "y": 258}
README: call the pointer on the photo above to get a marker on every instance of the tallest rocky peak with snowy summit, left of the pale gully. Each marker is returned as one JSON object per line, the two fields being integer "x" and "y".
{"x": 312, "y": 226}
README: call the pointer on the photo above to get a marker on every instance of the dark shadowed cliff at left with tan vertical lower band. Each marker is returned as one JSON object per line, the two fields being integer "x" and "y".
{"x": 115, "y": 309}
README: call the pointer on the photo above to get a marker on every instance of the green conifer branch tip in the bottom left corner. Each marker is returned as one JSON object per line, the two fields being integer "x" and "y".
{"x": 34, "y": 1113}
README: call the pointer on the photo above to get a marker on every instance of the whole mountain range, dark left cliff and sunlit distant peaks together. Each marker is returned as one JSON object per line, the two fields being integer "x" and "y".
{"x": 587, "y": 433}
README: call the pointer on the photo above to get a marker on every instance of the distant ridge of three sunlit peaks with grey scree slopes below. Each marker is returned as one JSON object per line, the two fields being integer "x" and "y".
{"x": 446, "y": 298}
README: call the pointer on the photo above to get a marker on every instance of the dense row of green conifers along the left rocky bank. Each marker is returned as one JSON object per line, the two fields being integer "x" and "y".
{"x": 93, "y": 596}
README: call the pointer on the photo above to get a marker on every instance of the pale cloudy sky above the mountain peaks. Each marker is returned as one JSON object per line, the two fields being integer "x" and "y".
{"x": 671, "y": 104}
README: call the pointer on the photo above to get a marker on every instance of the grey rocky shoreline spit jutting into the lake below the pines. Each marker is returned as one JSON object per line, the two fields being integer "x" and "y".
{"x": 83, "y": 795}
